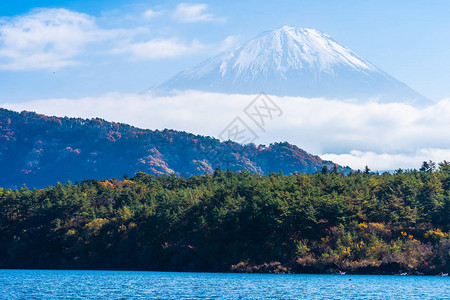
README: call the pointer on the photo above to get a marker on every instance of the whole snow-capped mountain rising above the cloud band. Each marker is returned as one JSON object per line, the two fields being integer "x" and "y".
{"x": 294, "y": 62}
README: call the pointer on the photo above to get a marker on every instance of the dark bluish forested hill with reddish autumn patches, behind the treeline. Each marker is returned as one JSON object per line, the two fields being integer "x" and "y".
{"x": 38, "y": 150}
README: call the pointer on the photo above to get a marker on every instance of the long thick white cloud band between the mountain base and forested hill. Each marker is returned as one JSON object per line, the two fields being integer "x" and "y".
{"x": 382, "y": 136}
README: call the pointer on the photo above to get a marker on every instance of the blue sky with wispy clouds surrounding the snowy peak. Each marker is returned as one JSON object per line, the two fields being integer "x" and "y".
{"x": 121, "y": 45}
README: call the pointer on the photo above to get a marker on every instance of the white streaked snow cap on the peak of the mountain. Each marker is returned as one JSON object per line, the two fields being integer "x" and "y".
{"x": 290, "y": 48}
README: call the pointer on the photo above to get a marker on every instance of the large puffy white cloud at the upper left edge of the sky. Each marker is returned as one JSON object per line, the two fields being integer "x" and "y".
{"x": 46, "y": 39}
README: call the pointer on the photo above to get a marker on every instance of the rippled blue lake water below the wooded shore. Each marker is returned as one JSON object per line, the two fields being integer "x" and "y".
{"x": 50, "y": 284}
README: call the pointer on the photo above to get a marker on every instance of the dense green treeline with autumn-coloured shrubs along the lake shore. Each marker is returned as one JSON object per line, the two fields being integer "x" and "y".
{"x": 235, "y": 221}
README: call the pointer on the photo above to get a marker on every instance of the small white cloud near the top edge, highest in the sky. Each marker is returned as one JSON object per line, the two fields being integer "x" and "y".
{"x": 192, "y": 13}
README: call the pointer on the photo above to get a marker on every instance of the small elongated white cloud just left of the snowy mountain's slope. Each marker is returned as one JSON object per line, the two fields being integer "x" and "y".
{"x": 158, "y": 48}
